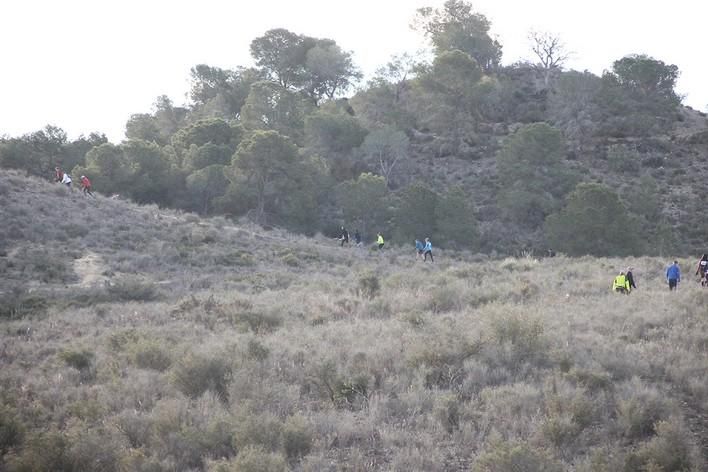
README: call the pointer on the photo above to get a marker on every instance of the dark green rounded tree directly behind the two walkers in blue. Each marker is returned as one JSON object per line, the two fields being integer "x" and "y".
{"x": 415, "y": 213}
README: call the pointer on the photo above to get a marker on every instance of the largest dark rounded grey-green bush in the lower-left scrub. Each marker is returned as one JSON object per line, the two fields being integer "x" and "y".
{"x": 194, "y": 375}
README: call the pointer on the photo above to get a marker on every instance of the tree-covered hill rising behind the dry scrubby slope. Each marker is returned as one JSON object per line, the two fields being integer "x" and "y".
{"x": 279, "y": 144}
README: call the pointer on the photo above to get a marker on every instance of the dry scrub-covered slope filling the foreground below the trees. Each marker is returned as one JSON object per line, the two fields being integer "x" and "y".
{"x": 142, "y": 339}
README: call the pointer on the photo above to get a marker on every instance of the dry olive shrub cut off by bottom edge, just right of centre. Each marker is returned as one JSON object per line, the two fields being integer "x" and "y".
{"x": 512, "y": 457}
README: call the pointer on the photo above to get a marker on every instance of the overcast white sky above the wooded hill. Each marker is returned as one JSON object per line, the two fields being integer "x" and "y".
{"x": 87, "y": 65}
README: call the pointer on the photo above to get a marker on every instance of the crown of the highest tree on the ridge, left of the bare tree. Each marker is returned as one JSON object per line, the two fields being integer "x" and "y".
{"x": 457, "y": 27}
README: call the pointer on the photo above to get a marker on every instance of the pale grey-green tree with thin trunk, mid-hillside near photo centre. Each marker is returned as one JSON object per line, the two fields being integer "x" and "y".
{"x": 386, "y": 150}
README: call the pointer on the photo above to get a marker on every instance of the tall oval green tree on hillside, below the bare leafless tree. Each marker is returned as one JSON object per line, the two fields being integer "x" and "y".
{"x": 532, "y": 175}
